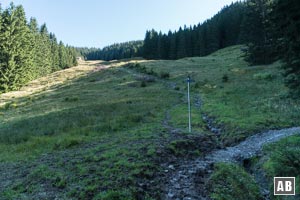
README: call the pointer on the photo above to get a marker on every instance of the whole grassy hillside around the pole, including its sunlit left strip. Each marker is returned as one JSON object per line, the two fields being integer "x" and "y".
{"x": 91, "y": 133}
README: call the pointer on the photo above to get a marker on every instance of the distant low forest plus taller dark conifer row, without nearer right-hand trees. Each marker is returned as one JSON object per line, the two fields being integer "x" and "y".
{"x": 198, "y": 40}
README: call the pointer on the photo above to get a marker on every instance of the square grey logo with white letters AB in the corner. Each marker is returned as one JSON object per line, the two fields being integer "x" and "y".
{"x": 284, "y": 185}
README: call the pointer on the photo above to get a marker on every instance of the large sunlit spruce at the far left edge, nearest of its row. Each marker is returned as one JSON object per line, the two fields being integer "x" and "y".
{"x": 15, "y": 49}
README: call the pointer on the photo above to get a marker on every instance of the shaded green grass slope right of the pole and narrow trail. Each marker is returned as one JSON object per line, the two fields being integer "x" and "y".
{"x": 242, "y": 99}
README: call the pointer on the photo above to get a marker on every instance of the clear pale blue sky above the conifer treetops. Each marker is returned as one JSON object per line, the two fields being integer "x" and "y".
{"x": 98, "y": 23}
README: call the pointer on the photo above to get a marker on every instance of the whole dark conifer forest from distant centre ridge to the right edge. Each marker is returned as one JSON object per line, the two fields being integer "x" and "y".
{"x": 269, "y": 28}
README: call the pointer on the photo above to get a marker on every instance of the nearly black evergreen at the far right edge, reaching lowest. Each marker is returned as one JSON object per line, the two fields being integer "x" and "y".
{"x": 286, "y": 16}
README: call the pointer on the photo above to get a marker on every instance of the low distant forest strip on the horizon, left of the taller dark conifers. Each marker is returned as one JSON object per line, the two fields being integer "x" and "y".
{"x": 112, "y": 52}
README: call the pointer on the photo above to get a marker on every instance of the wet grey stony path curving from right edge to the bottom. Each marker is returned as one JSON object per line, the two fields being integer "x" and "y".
{"x": 187, "y": 181}
